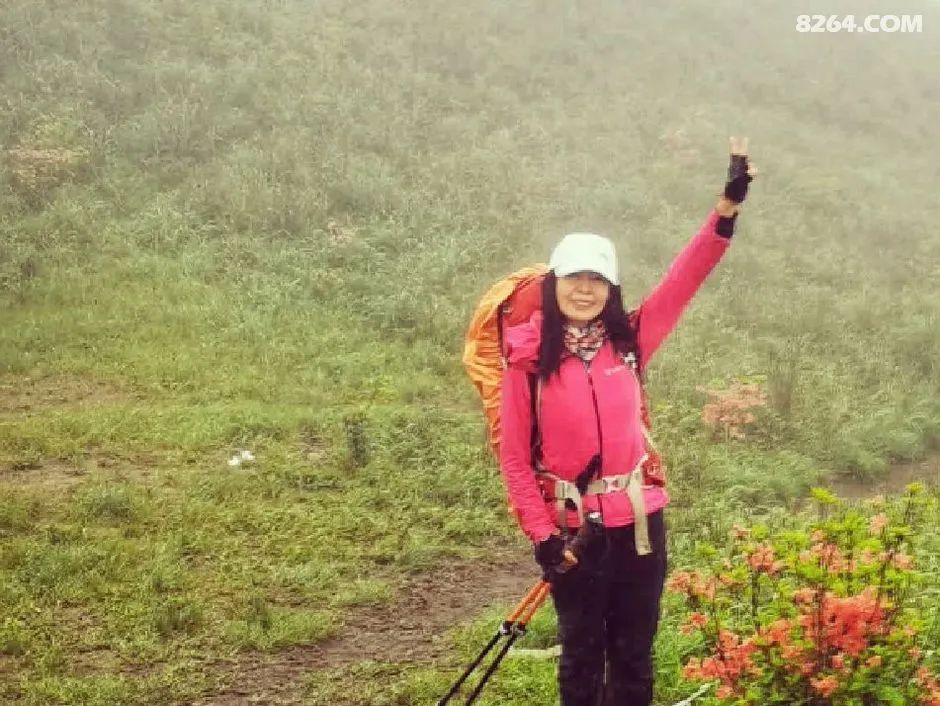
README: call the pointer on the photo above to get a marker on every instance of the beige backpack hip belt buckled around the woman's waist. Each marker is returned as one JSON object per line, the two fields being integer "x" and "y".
{"x": 631, "y": 483}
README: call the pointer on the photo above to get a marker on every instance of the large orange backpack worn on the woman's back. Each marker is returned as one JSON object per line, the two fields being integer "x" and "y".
{"x": 511, "y": 301}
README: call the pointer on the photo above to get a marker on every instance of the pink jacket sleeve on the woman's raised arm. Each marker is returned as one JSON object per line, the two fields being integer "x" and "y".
{"x": 660, "y": 311}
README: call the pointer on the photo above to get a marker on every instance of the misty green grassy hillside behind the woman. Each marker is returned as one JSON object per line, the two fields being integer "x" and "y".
{"x": 263, "y": 225}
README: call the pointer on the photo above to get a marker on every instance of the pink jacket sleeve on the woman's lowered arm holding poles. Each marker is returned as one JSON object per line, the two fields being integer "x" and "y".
{"x": 515, "y": 456}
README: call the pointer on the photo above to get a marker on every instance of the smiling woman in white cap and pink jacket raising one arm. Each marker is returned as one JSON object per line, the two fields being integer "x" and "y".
{"x": 575, "y": 367}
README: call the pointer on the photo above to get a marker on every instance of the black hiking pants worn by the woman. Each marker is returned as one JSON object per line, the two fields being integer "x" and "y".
{"x": 608, "y": 612}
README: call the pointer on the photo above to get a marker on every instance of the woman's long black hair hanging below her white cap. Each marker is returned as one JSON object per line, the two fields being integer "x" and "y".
{"x": 620, "y": 328}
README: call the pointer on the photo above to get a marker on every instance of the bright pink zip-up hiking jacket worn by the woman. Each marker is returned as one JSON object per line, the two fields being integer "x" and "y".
{"x": 569, "y": 424}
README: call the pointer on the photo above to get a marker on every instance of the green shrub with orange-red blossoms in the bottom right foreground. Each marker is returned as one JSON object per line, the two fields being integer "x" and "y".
{"x": 835, "y": 615}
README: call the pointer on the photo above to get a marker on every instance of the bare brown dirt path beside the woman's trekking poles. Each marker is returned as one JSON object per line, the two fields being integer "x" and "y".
{"x": 427, "y": 605}
